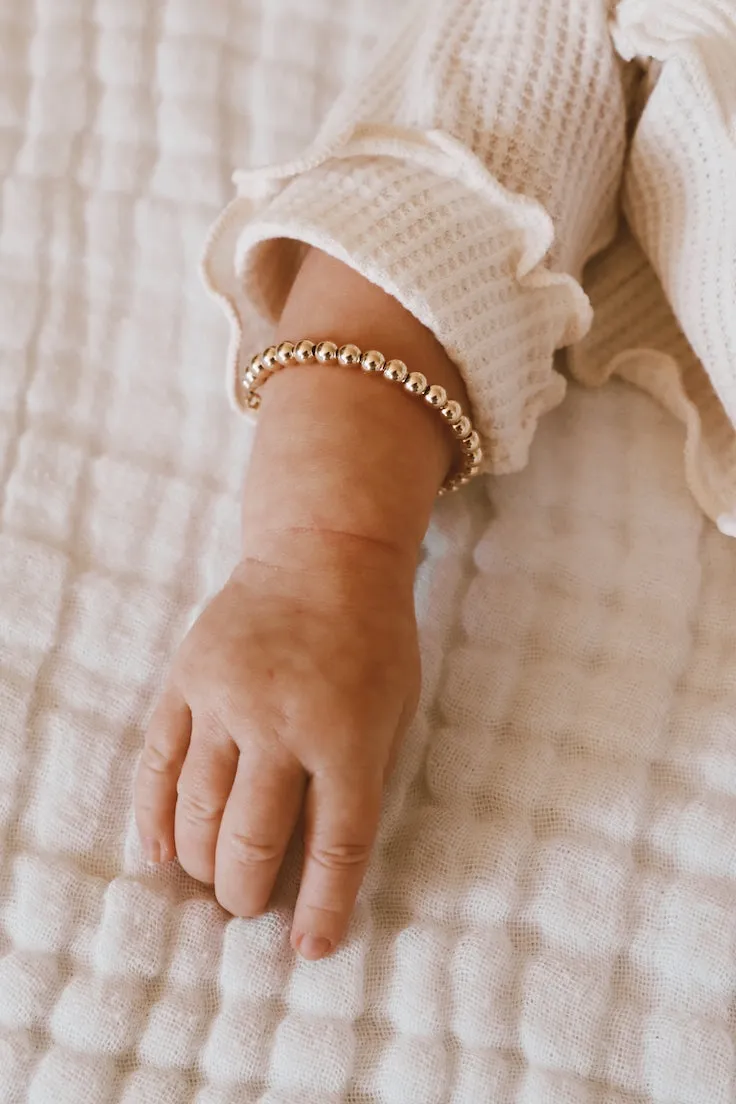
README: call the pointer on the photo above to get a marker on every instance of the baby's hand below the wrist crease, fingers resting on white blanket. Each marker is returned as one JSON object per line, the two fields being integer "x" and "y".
{"x": 287, "y": 697}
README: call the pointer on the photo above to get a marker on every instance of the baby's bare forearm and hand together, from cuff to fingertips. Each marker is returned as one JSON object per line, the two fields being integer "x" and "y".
{"x": 287, "y": 700}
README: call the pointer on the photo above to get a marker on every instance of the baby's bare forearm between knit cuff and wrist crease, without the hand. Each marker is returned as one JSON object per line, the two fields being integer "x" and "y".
{"x": 338, "y": 451}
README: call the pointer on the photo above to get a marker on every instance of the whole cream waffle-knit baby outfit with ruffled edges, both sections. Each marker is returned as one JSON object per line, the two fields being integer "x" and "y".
{"x": 473, "y": 168}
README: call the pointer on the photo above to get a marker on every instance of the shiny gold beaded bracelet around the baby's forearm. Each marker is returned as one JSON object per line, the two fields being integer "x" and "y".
{"x": 264, "y": 365}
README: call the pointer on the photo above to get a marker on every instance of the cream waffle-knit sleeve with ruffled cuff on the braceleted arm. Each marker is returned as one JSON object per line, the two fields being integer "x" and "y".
{"x": 471, "y": 173}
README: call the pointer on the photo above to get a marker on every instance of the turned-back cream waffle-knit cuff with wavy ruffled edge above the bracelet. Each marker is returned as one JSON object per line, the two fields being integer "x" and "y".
{"x": 421, "y": 217}
